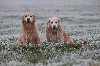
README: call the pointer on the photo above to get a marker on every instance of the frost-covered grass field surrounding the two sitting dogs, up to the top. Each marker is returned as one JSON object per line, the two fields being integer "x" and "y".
{"x": 80, "y": 19}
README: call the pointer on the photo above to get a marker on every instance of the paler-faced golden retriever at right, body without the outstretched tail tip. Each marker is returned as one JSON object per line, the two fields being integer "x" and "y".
{"x": 55, "y": 32}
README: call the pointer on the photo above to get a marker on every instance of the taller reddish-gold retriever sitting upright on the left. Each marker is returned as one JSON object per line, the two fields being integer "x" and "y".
{"x": 29, "y": 30}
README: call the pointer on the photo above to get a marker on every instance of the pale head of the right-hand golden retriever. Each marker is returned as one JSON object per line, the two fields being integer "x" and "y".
{"x": 53, "y": 23}
